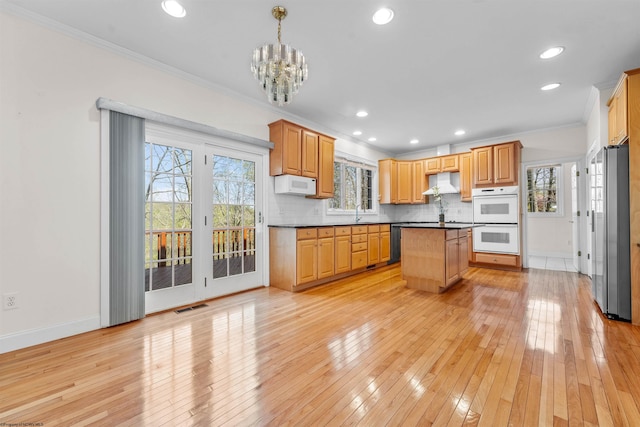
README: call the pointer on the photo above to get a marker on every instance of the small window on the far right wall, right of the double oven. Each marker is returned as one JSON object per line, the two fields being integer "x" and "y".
{"x": 543, "y": 189}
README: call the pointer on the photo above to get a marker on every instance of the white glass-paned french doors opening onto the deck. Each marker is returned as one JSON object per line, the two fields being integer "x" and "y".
{"x": 203, "y": 228}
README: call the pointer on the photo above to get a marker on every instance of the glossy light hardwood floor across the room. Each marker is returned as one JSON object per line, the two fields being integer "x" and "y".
{"x": 499, "y": 348}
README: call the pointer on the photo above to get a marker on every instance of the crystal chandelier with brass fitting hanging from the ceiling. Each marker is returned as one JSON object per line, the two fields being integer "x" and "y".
{"x": 280, "y": 69}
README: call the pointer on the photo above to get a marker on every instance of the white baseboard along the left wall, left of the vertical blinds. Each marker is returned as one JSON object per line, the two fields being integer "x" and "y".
{"x": 31, "y": 337}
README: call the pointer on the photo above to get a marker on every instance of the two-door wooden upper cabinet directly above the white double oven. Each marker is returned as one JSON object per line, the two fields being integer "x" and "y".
{"x": 496, "y": 165}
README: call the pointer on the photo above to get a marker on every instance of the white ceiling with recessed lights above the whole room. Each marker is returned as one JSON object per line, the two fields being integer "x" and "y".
{"x": 440, "y": 65}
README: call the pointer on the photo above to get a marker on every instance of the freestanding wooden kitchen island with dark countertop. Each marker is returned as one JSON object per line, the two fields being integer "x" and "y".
{"x": 434, "y": 257}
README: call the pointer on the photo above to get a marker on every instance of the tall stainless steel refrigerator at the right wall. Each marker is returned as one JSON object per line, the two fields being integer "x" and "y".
{"x": 611, "y": 282}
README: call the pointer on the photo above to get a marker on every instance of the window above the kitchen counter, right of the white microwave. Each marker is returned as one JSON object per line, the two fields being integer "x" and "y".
{"x": 352, "y": 187}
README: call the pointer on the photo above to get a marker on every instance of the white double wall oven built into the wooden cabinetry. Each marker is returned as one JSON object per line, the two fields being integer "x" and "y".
{"x": 497, "y": 211}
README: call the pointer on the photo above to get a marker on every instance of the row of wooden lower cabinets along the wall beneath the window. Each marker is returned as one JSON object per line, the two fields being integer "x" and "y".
{"x": 300, "y": 258}
